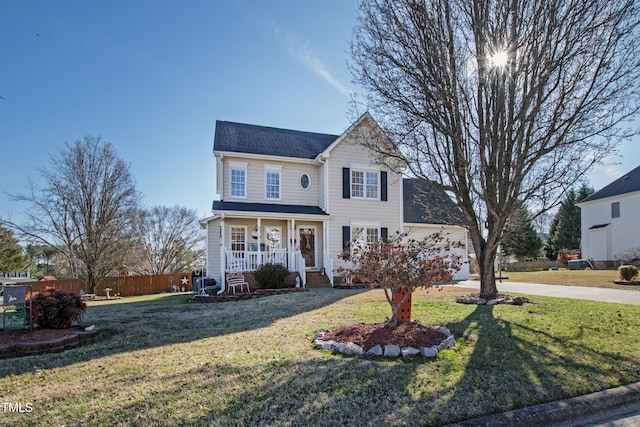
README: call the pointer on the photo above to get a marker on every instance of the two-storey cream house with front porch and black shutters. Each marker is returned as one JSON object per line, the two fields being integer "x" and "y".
{"x": 297, "y": 198}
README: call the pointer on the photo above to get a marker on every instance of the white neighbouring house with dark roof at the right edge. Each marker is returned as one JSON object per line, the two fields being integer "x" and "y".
{"x": 610, "y": 230}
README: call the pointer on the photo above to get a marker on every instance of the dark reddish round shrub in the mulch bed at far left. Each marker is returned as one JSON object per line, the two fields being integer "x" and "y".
{"x": 57, "y": 309}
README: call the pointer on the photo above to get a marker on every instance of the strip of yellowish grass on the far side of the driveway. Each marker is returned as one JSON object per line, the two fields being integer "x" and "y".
{"x": 593, "y": 278}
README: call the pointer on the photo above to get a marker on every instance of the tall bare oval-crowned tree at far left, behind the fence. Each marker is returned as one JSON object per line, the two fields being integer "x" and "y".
{"x": 85, "y": 209}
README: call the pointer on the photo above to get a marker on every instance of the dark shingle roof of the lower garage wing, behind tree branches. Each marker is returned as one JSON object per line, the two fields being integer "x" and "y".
{"x": 428, "y": 204}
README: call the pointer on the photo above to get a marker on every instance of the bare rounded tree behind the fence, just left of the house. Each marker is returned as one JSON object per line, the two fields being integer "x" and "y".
{"x": 169, "y": 240}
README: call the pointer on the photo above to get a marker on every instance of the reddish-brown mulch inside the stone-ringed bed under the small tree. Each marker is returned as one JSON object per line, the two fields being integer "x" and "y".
{"x": 408, "y": 334}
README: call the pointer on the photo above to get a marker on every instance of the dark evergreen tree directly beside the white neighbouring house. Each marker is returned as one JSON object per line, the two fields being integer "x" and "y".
{"x": 565, "y": 228}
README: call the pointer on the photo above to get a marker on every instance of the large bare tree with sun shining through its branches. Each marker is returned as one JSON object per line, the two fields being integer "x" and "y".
{"x": 498, "y": 101}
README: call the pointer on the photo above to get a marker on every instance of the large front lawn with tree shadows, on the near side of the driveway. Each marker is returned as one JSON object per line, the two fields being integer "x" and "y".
{"x": 168, "y": 362}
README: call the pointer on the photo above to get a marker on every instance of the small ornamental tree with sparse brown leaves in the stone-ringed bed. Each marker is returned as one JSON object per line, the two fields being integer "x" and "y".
{"x": 399, "y": 263}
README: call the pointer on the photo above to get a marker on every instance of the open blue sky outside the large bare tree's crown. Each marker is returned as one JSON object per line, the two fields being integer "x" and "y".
{"x": 153, "y": 76}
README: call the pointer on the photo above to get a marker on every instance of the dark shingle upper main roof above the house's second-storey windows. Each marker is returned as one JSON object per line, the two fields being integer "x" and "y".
{"x": 252, "y": 139}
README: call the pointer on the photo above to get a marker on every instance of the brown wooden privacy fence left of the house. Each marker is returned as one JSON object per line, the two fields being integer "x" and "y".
{"x": 125, "y": 286}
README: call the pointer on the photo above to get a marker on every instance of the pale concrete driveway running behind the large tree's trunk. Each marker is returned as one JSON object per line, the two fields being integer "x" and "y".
{"x": 576, "y": 292}
